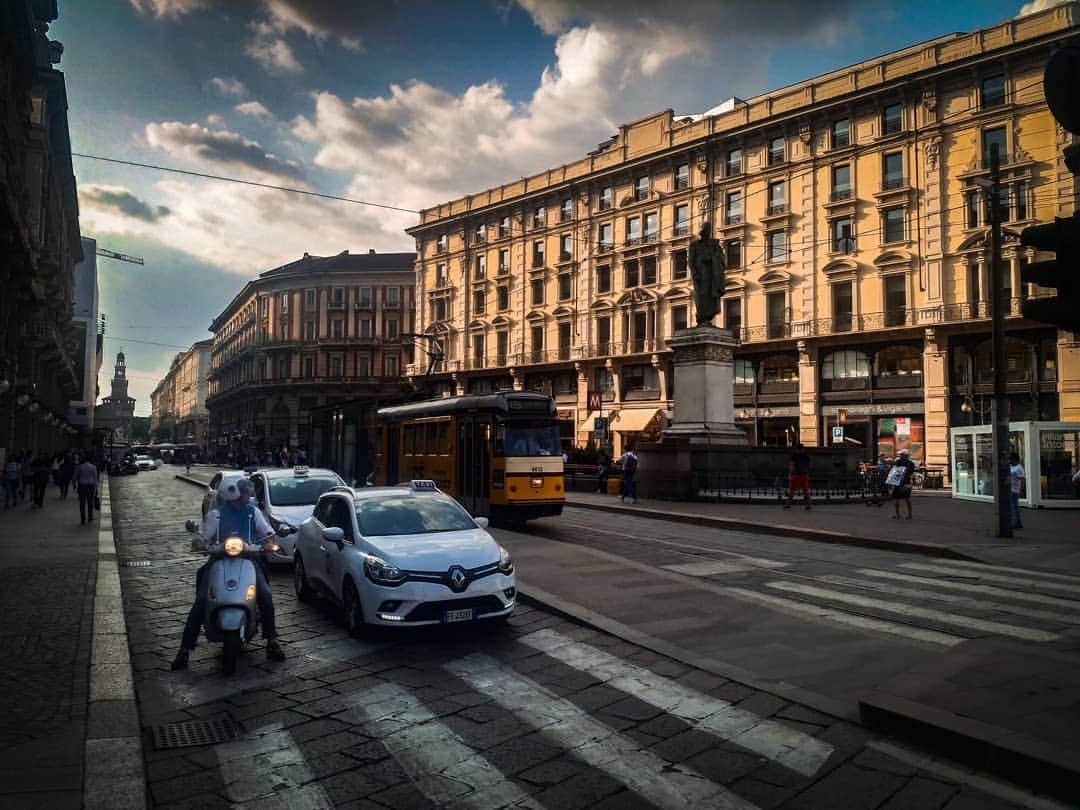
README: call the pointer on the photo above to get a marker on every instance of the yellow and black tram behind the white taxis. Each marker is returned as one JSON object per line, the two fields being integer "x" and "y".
{"x": 498, "y": 454}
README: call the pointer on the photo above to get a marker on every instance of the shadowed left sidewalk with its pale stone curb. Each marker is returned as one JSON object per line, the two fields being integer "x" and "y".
{"x": 70, "y": 734}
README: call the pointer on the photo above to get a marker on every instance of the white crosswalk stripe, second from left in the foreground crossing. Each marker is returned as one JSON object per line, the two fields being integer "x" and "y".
{"x": 442, "y": 765}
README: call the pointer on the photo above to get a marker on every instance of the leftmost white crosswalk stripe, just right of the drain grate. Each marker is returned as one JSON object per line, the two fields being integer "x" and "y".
{"x": 268, "y": 769}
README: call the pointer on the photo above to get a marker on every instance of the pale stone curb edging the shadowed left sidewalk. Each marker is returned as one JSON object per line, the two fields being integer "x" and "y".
{"x": 115, "y": 773}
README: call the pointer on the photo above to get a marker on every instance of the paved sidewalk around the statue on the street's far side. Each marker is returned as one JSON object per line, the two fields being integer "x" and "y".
{"x": 943, "y": 526}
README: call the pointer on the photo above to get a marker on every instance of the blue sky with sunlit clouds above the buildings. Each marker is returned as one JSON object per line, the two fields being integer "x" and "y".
{"x": 406, "y": 103}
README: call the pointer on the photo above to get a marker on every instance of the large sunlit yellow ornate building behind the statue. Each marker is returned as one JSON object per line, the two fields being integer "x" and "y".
{"x": 857, "y": 237}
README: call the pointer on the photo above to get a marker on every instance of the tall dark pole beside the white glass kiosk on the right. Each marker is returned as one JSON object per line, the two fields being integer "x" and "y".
{"x": 1003, "y": 502}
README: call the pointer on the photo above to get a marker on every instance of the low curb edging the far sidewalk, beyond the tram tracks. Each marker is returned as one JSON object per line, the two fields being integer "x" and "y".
{"x": 820, "y": 536}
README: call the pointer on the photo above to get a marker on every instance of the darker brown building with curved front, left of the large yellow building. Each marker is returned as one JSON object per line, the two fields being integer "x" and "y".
{"x": 320, "y": 331}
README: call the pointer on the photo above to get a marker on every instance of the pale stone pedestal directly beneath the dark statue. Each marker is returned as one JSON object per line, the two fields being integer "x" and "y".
{"x": 704, "y": 403}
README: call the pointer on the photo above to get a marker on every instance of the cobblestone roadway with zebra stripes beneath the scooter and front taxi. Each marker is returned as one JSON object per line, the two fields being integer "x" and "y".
{"x": 537, "y": 713}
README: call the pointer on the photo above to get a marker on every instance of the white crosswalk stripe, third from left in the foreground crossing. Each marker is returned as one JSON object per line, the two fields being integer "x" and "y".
{"x": 654, "y": 779}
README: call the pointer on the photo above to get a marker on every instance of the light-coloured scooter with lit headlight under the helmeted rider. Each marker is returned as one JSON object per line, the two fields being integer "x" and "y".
{"x": 233, "y": 616}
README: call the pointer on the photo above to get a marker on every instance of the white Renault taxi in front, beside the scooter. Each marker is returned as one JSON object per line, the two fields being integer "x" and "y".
{"x": 403, "y": 557}
